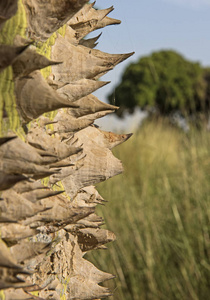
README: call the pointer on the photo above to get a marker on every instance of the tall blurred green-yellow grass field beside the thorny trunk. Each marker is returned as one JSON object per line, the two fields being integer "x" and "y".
{"x": 159, "y": 210}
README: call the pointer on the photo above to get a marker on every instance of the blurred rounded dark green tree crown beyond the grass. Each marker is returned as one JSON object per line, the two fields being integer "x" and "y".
{"x": 166, "y": 81}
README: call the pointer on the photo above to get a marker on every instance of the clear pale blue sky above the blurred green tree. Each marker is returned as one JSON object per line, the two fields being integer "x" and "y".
{"x": 151, "y": 25}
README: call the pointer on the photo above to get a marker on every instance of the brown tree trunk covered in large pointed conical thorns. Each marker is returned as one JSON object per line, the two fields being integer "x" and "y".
{"x": 51, "y": 154}
